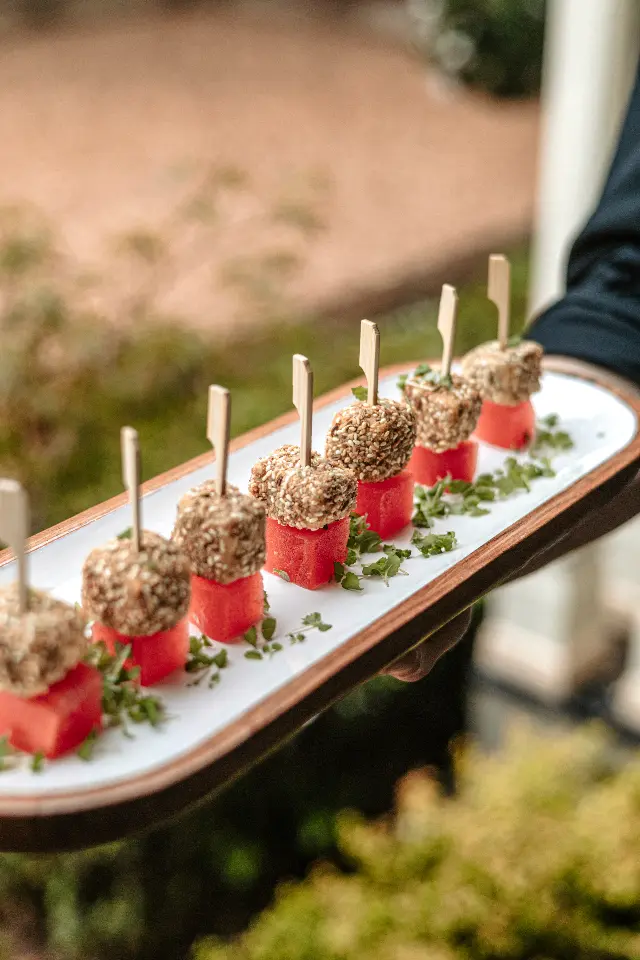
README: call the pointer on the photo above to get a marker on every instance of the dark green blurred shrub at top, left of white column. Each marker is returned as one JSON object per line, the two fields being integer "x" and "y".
{"x": 492, "y": 44}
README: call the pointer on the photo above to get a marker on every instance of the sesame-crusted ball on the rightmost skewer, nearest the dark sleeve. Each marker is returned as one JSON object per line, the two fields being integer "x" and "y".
{"x": 507, "y": 377}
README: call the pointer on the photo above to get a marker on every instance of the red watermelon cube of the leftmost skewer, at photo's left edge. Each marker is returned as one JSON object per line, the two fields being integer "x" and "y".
{"x": 58, "y": 721}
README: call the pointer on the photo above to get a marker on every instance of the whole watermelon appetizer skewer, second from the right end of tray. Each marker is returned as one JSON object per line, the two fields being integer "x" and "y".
{"x": 447, "y": 407}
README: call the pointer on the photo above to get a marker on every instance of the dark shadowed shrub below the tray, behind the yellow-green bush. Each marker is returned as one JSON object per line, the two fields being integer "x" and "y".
{"x": 210, "y": 871}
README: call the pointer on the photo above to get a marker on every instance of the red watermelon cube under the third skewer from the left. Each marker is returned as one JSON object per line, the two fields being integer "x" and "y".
{"x": 225, "y": 611}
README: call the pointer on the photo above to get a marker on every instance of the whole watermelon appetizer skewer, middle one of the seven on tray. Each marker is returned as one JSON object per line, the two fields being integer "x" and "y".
{"x": 308, "y": 500}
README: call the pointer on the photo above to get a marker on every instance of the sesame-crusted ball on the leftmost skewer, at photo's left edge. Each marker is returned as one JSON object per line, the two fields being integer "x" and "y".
{"x": 38, "y": 648}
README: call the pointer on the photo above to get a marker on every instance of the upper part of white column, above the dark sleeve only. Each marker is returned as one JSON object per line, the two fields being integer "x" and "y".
{"x": 590, "y": 57}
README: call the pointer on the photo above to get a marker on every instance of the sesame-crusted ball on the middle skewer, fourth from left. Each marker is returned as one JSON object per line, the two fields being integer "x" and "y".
{"x": 304, "y": 497}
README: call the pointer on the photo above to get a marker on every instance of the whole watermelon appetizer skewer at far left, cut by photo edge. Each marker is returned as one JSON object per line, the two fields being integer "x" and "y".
{"x": 50, "y": 701}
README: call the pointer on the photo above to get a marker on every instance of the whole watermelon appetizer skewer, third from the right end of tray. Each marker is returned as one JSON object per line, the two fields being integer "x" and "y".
{"x": 374, "y": 440}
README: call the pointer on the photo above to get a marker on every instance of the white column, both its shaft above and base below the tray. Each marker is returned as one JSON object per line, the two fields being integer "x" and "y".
{"x": 550, "y": 632}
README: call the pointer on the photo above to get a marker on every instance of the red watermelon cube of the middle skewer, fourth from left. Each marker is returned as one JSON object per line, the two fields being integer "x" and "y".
{"x": 306, "y": 557}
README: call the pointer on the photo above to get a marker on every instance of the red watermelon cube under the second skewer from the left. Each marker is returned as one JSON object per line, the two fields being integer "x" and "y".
{"x": 157, "y": 655}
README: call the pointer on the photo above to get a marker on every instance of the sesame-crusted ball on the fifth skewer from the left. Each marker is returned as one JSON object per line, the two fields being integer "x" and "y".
{"x": 375, "y": 441}
